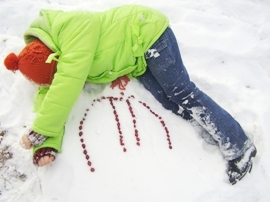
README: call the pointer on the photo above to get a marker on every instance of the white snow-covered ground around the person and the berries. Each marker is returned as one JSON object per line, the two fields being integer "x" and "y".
{"x": 226, "y": 48}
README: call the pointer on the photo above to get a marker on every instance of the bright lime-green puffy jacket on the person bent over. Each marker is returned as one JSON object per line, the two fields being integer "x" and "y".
{"x": 95, "y": 47}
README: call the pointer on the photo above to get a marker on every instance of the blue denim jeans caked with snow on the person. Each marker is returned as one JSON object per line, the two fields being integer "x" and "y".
{"x": 167, "y": 79}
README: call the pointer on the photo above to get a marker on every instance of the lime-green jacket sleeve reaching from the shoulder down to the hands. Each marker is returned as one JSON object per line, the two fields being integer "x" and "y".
{"x": 77, "y": 39}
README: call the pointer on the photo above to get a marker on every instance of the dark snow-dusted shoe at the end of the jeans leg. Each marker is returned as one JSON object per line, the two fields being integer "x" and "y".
{"x": 237, "y": 168}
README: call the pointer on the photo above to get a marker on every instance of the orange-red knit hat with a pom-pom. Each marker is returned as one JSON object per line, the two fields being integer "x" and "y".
{"x": 32, "y": 63}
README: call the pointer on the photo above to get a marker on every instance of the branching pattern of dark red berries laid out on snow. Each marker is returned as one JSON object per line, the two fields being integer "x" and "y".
{"x": 136, "y": 133}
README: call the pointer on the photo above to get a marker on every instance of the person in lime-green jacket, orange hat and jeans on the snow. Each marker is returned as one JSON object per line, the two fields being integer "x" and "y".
{"x": 66, "y": 49}
